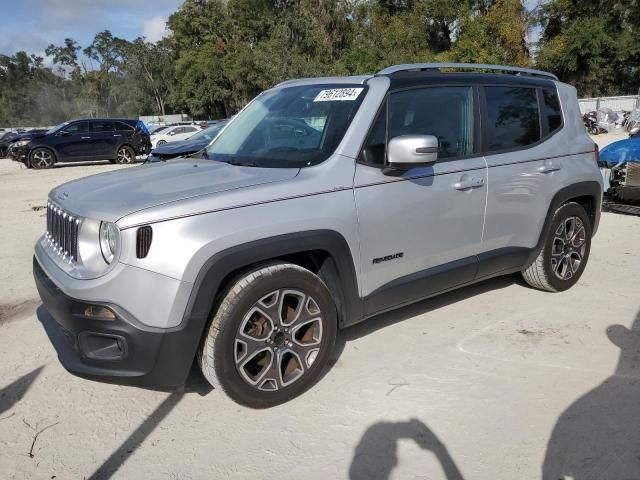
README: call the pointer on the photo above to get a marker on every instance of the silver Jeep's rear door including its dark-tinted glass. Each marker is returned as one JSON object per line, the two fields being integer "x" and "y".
{"x": 525, "y": 169}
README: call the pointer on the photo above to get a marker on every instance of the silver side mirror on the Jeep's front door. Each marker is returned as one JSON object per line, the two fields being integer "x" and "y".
{"x": 407, "y": 151}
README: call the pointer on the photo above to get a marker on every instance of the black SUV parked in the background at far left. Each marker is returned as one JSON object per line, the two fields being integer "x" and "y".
{"x": 116, "y": 140}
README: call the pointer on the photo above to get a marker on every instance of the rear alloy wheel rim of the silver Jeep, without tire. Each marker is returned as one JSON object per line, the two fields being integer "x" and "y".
{"x": 568, "y": 248}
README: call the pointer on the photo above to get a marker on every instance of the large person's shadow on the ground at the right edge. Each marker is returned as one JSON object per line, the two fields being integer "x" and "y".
{"x": 598, "y": 436}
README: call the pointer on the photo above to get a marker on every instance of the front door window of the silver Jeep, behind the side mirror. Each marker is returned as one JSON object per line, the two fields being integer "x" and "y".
{"x": 445, "y": 112}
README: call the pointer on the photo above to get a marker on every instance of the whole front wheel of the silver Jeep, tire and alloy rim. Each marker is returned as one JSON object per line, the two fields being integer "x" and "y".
{"x": 231, "y": 366}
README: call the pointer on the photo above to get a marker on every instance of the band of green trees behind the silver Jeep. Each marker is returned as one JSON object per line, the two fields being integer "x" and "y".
{"x": 221, "y": 53}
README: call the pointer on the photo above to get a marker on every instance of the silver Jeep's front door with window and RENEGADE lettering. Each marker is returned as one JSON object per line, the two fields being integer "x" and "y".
{"x": 421, "y": 229}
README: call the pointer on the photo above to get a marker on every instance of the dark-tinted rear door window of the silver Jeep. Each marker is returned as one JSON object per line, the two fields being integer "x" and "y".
{"x": 513, "y": 119}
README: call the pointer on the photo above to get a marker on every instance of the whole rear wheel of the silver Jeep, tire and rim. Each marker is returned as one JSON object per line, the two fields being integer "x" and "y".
{"x": 556, "y": 267}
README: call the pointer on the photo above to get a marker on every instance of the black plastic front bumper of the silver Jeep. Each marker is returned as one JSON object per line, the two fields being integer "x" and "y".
{"x": 115, "y": 351}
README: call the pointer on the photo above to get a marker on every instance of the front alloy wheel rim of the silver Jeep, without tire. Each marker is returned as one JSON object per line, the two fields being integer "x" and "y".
{"x": 278, "y": 339}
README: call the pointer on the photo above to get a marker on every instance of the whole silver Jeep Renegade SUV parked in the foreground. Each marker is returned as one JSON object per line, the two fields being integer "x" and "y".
{"x": 323, "y": 202}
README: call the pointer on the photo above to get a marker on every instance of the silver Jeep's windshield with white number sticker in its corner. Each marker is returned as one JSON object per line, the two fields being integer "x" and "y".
{"x": 289, "y": 127}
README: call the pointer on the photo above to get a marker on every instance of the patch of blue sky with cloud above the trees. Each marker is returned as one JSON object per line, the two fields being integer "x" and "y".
{"x": 32, "y": 25}
